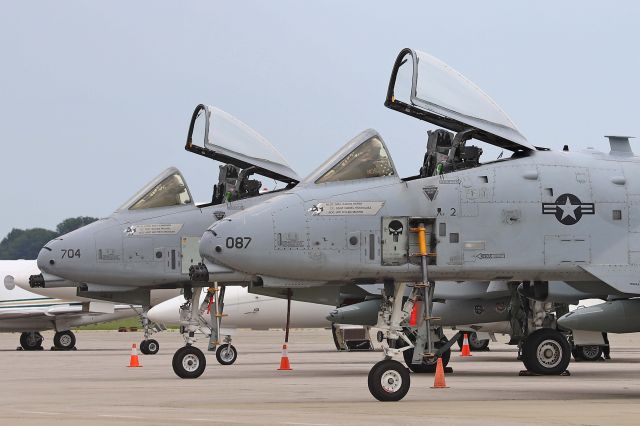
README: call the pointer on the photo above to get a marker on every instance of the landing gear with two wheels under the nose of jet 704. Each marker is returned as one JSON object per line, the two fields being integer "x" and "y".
{"x": 189, "y": 362}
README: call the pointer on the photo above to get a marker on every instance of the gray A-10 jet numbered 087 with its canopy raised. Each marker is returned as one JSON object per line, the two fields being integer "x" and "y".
{"x": 534, "y": 216}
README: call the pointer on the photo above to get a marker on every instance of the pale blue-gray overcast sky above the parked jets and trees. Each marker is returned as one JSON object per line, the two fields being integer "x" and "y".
{"x": 96, "y": 97}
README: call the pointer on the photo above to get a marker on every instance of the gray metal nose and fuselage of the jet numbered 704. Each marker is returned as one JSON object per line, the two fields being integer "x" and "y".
{"x": 135, "y": 260}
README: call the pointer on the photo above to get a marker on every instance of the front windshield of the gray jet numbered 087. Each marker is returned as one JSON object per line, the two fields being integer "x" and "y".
{"x": 370, "y": 159}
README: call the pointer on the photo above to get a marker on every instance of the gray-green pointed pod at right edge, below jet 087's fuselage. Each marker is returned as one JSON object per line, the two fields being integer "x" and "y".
{"x": 615, "y": 316}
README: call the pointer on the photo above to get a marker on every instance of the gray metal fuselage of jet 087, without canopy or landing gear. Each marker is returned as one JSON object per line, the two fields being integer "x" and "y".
{"x": 497, "y": 211}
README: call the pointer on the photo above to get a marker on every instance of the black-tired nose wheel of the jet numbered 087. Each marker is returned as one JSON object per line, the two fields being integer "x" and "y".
{"x": 389, "y": 380}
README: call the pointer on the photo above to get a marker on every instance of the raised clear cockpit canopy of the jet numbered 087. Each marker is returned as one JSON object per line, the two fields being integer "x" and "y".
{"x": 426, "y": 88}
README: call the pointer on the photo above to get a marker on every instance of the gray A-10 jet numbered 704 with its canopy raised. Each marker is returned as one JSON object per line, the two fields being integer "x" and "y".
{"x": 152, "y": 240}
